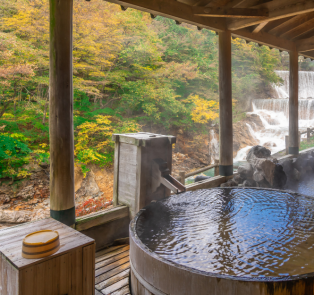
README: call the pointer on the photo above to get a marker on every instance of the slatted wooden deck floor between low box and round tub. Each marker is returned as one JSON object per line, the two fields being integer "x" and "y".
{"x": 112, "y": 271}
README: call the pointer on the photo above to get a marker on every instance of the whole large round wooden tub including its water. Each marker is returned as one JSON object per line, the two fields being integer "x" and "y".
{"x": 271, "y": 236}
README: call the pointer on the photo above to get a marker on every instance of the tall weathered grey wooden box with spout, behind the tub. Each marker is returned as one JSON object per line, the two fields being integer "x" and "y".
{"x": 133, "y": 160}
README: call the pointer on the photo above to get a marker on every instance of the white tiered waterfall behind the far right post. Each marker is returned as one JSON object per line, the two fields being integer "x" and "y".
{"x": 274, "y": 113}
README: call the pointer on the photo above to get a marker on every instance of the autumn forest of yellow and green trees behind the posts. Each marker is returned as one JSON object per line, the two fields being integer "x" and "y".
{"x": 131, "y": 72}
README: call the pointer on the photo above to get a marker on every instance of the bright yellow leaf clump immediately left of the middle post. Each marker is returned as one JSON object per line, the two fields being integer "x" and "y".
{"x": 204, "y": 110}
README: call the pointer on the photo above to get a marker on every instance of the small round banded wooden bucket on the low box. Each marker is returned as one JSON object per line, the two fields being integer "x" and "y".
{"x": 40, "y": 244}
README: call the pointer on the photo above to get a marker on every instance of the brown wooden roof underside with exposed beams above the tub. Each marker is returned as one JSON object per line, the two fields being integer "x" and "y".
{"x": 282, "y": 24}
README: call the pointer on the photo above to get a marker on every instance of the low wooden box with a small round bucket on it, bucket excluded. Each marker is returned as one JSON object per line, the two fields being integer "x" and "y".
{"x": 70, "y": 271}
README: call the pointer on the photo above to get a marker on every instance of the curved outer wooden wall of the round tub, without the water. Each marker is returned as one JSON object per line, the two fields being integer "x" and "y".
{"x": 152, "y": 274}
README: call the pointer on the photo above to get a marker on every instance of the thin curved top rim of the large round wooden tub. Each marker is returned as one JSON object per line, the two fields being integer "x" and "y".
{"x": 143, "y": 247}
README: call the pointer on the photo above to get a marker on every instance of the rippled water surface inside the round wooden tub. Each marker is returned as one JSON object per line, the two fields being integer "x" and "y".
{"x": 252, "y": 233}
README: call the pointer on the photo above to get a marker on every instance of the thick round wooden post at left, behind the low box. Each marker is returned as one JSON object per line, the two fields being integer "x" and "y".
{"x": 62, "y": 202}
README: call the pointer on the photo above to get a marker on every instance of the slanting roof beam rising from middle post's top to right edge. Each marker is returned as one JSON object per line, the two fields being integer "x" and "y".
{"x": 275, "y": 12}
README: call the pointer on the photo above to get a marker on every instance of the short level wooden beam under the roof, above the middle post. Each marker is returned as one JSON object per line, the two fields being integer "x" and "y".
{"x": 231, "y": 12}
